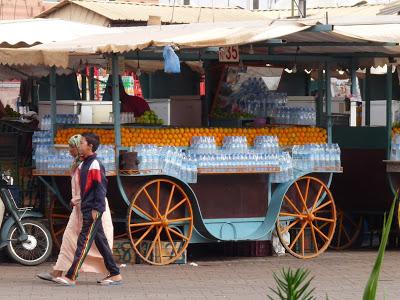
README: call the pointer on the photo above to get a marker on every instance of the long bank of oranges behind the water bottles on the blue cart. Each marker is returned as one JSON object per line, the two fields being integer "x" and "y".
{"x": 181, "y": 136}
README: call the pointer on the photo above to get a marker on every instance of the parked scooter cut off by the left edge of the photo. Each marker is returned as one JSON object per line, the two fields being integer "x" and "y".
{"x": 27, "y": 240}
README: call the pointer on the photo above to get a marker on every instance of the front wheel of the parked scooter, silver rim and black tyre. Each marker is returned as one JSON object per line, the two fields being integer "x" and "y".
{"x": 36, "y": 249}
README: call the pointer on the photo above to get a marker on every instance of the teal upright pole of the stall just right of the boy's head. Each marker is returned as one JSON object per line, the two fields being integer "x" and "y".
{"x": 115, "y": 99}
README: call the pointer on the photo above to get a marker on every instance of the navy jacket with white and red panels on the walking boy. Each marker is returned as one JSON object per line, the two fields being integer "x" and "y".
{"x": 93, "y": 183}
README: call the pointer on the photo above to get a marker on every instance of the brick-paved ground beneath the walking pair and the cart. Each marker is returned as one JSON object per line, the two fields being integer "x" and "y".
{"x": 340, "y": 275}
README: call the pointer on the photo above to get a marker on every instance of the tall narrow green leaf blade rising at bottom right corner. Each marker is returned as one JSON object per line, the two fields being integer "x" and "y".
{"x": 372, "y": 284}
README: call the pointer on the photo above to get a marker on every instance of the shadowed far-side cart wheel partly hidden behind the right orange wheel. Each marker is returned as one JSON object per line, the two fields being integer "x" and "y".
{"x": 347, "y": 230}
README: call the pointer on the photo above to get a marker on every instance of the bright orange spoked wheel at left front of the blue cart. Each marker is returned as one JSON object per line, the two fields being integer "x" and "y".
{"x": 160, "y": 215}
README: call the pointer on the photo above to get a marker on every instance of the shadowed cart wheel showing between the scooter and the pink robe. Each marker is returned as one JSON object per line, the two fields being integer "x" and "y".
{"x": 58, "y": 220}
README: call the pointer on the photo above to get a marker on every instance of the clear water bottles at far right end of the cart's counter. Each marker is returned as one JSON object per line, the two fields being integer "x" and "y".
{"x": 317, "y": 157}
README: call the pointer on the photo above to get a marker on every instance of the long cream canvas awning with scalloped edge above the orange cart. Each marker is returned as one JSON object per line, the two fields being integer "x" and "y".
{"x": 137, "y": 38}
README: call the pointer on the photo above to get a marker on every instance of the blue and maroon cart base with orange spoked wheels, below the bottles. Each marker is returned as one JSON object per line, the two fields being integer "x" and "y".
{"x": 222, "y": 206}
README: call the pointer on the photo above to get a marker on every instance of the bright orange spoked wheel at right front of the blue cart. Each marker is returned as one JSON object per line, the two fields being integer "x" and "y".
{"x": 307, "y": 220}
